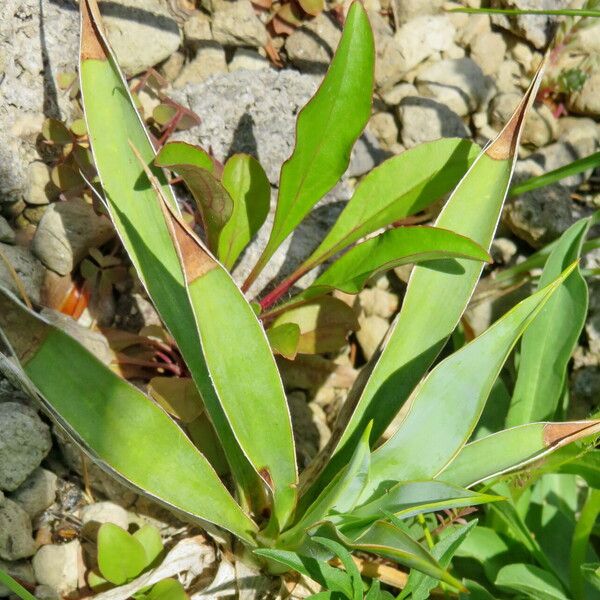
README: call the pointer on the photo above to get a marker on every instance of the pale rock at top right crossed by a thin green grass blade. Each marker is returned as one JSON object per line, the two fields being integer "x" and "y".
{"x": 537, "y": 29}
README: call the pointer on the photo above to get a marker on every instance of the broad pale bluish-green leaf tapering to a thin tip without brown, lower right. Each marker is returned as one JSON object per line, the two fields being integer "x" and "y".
{"x": 463, "y": 382}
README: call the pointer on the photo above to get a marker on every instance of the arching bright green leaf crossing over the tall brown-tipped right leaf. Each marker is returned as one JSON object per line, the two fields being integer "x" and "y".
{"x": 391, "y": 249}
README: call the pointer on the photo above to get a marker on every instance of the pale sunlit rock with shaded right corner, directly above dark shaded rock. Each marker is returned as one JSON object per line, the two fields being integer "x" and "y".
{"x": 458, "y": 83}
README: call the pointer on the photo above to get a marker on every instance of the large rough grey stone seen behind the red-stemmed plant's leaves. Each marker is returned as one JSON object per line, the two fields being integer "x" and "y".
{"x": 255, "y": 112}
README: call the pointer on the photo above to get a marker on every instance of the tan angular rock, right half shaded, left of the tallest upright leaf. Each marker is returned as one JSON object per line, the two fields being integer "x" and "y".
{"x": 66, "y": 232}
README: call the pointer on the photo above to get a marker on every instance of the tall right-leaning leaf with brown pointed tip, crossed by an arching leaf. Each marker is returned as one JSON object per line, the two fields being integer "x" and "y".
{"x": 422, "y": 328}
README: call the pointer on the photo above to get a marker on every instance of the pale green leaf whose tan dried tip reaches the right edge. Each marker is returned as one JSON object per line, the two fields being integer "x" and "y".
{"x": 513, "y": 449}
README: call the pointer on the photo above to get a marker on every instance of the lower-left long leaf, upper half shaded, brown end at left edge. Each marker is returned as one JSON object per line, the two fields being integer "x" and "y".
{"x": 118, "y": 426}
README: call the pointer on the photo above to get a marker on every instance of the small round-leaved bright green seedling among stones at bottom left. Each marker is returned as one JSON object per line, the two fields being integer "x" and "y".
{"x": 123, "y": 556}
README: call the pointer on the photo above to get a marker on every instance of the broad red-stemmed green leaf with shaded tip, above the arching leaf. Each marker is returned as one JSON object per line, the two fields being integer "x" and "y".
{"x": 388, "y": 194}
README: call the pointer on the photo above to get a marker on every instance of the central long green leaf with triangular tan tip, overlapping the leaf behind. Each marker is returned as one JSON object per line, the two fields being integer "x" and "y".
{"x": 250, "y": 391}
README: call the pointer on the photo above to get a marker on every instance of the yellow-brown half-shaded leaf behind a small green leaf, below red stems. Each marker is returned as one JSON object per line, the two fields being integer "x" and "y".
{"x": 324, "y": 324}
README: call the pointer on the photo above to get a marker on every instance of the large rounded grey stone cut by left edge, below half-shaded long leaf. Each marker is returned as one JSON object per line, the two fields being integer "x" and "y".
{"x": 24, "y": 442}
